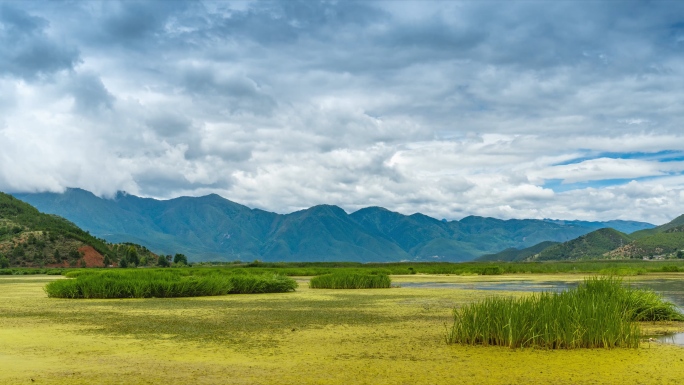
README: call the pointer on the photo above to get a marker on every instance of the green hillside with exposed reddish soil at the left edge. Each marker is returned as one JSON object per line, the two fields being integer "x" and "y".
{"x": 29, "y": 238}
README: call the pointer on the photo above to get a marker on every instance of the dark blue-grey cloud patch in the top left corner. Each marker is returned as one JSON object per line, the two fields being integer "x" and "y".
{"x": 25, "y": 50}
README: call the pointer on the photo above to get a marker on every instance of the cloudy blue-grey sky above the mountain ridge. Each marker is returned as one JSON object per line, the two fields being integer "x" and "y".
{"x": 513, "y": 109}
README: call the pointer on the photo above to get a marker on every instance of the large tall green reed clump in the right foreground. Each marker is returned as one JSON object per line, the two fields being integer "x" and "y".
{"x": 599, "y": 313}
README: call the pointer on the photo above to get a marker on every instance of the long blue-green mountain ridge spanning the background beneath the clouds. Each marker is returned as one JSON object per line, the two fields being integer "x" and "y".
{"x": 214, "y": 228}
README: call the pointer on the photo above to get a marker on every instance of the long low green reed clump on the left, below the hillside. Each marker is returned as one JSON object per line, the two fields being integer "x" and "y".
{"x": 163, "y": 284}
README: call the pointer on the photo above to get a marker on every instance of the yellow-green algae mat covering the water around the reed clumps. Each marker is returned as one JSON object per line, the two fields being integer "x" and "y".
{"x": 377, "y": 336}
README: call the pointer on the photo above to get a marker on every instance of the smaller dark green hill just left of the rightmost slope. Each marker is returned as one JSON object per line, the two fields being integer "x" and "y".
{"x": 590, "y": 246}
